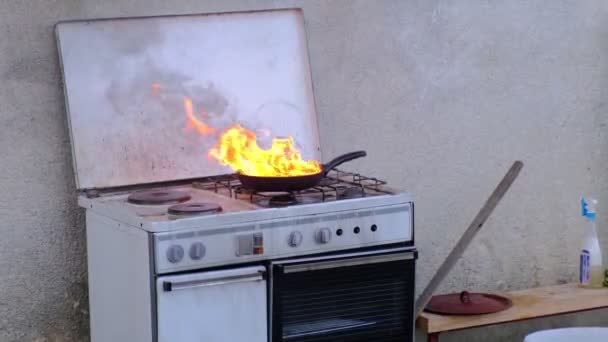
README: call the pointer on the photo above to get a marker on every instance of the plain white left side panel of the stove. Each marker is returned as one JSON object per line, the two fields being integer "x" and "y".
{"x": 120, "y": 291}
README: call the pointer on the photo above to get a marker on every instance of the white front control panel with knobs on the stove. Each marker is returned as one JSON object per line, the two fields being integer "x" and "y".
{"x": 278, "y": 238}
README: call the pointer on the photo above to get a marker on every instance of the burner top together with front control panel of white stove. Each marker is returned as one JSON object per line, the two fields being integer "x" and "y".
{"x": 217, "y": 222}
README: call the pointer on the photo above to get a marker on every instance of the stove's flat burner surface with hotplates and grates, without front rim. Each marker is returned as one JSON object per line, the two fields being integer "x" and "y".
{"x": 225, "y": 194}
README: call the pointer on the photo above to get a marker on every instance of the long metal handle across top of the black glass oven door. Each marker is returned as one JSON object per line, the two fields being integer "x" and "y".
{"x": 322, "y": 265}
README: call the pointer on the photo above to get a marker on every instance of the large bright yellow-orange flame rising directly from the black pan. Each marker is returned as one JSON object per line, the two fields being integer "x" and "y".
{"x": 238, "y": 148}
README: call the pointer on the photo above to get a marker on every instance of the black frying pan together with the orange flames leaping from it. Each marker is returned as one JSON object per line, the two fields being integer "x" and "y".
{"x": 277, "y": 168}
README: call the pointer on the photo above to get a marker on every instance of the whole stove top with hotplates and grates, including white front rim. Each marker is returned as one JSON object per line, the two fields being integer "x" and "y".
{"x": 210, "y": 200}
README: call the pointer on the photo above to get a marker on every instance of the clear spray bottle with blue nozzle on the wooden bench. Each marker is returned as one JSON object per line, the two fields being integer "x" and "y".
{"x": 591, "y": 269}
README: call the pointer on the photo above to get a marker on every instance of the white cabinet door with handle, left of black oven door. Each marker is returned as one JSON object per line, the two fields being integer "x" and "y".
{"x": 216, "y": 306}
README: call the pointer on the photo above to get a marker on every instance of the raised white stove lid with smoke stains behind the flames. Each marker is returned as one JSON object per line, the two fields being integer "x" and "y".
{"x": 125, "y": 82}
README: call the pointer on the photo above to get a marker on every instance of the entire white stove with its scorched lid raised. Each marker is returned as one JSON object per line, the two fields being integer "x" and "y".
{"x": 178, "y": 249}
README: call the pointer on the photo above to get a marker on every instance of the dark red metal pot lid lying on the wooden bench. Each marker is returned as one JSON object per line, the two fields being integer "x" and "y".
{"x": 465, "y": 303}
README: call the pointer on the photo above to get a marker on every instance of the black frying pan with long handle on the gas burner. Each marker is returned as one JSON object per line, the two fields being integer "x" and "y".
{"x": 295, "y": 183}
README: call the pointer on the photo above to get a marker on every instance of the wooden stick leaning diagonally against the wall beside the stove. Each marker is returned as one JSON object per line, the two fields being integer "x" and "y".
{"x": 468, "y": 236}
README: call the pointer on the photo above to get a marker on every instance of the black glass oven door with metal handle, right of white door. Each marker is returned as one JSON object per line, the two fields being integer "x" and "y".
{"x": 361, "y": 297}
